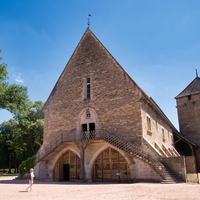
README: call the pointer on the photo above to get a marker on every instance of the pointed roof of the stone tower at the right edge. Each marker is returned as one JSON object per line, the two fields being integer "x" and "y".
{"x": 192, "y": 88}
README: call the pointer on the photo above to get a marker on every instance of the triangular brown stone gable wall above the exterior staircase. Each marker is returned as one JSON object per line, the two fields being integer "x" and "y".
{"x": 114, "y": 96}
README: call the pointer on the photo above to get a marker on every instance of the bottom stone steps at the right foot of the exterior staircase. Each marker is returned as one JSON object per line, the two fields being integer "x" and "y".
{"x": 171, "y": 177}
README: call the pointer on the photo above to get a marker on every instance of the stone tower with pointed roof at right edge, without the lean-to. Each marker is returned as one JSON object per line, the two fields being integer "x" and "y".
{"x": 188, "y": 107}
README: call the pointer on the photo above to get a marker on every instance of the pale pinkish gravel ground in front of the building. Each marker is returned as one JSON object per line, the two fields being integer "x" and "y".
{"x": 15, "y": 189}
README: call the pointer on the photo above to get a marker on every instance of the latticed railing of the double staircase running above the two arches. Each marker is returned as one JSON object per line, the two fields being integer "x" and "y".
{"x": 88, "y": 136}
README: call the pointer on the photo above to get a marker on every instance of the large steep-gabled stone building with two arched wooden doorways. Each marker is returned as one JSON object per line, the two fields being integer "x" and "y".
{"x": 99, "y": 125}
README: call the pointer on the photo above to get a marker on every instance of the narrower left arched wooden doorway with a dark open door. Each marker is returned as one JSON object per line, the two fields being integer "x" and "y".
{"x": 67, "y": 167}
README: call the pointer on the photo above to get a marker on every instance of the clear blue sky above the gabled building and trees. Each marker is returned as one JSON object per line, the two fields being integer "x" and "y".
{"x": 155, "y": 41}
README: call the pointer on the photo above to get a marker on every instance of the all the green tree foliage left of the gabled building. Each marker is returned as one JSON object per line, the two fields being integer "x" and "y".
{"x": 21, "y": 136}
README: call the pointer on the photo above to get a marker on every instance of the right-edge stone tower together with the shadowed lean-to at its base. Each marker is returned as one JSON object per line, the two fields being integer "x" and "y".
{"x": 188, "y": 107}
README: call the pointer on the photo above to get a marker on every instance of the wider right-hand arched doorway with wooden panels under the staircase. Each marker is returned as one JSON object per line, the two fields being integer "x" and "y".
{"x": 110, "y": 166}
